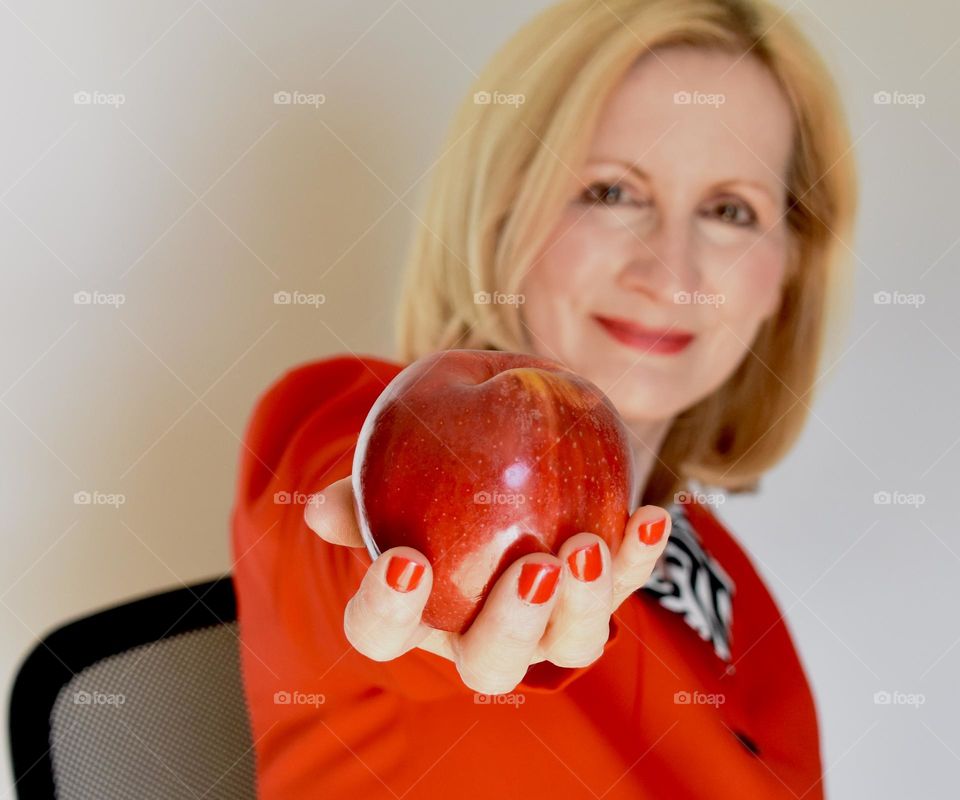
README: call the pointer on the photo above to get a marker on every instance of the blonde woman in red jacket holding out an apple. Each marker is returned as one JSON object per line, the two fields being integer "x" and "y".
{"x": 651, "y": 192}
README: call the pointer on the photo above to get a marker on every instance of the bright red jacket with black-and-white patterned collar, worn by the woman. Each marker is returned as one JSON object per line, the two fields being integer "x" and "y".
{"x": 699, "y": 693}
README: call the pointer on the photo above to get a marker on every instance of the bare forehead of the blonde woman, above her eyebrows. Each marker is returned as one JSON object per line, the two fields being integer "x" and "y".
{"x": 739, "y": 125}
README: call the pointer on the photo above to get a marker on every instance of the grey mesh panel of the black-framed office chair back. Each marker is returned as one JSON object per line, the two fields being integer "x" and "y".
{"x": 162, "y": 721}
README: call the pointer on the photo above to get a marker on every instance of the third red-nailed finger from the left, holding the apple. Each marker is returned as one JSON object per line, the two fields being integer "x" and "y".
{"x": 580, "y": 625}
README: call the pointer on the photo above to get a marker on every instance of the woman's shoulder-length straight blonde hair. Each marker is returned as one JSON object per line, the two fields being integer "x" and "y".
{"x": 500, "y": 184}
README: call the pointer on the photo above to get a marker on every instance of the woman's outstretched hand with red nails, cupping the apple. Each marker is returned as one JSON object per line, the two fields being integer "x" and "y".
{"x": 569, "y": 628}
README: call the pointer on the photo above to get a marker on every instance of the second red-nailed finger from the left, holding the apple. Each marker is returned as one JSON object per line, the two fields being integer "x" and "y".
{"x": 494, "y": 653}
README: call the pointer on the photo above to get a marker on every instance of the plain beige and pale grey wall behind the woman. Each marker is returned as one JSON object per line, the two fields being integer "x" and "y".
{"x": 199, "y": 197}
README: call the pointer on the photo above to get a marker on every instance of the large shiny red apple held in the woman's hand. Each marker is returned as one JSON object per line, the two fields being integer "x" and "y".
{"x": 478, "y": 457}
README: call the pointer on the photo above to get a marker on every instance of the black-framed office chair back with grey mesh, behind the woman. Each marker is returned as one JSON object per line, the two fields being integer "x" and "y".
{"x": 143, "y": 700}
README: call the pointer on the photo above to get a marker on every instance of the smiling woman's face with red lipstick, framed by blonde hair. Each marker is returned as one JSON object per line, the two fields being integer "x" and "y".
{"x": 655, "y": 279}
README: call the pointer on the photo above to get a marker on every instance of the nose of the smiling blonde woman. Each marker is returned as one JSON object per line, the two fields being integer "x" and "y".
{"x": 662, "y": 260}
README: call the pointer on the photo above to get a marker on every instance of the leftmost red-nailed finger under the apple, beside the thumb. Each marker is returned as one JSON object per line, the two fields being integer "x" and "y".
{"x": 382, "y": 620}
